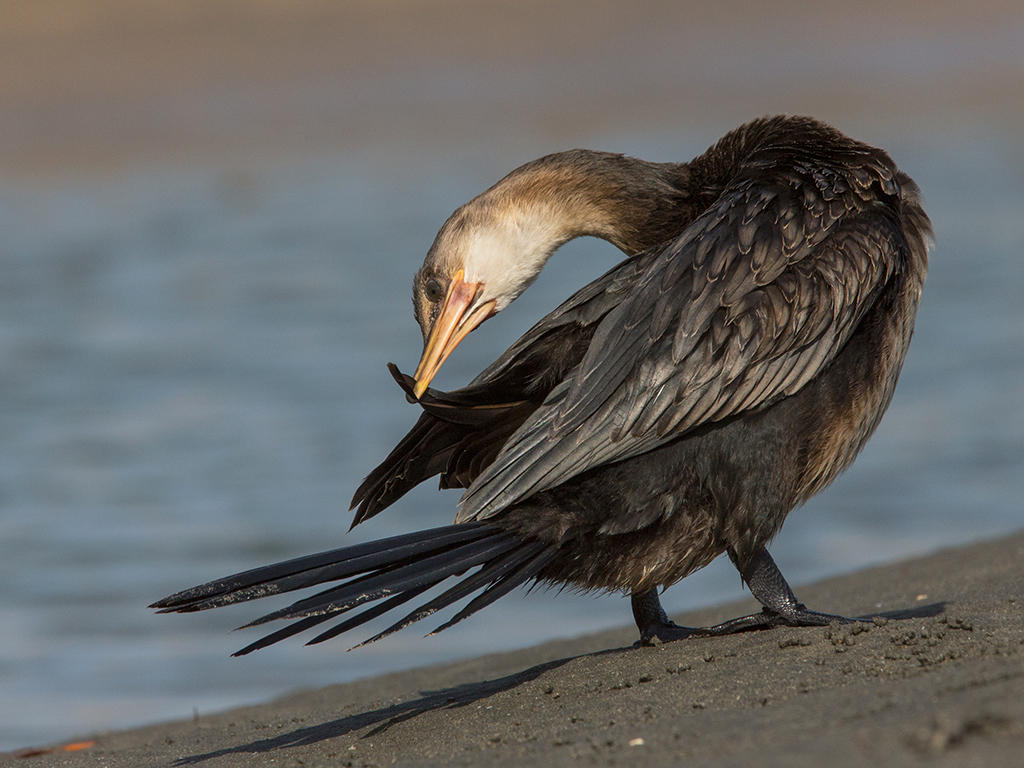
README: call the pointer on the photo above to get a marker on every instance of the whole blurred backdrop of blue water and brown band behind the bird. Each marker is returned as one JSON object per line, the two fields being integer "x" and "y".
{"x": 194, "y": 338}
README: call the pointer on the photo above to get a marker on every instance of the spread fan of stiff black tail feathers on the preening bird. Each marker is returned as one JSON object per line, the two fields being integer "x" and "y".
{"x": 392, "y": 571}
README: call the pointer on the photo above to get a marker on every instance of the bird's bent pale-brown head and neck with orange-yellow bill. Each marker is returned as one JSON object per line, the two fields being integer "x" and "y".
{"x": 492, "y": 249}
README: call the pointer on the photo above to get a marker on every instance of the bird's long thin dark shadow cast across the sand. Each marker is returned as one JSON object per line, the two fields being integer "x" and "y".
{"x": 459, "y": 696}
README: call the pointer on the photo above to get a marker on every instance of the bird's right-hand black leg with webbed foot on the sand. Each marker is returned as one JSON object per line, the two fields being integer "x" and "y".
{"x": 782, "y": 609}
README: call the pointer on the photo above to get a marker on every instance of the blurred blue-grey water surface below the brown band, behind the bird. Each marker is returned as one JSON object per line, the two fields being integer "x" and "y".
{"x": 194, "y": 382}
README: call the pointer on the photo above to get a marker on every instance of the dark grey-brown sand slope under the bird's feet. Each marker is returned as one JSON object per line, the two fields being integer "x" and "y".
{"x": 945, "y": 686}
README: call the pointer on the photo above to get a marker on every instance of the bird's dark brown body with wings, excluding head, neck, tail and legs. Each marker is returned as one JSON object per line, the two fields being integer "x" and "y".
{"x": 691, "y": 398}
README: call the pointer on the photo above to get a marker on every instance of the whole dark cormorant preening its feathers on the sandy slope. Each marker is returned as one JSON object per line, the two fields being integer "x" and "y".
{"x": 675, "y": 409}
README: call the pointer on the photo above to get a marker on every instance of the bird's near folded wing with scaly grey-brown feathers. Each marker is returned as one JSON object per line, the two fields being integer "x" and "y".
{"x": 745, "y": 308}
